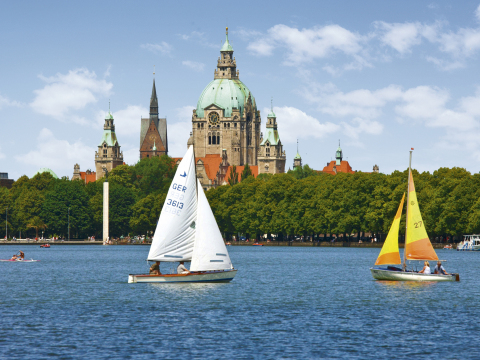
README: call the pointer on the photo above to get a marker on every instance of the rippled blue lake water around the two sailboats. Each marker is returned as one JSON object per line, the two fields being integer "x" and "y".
{"x": 285, "y": 302}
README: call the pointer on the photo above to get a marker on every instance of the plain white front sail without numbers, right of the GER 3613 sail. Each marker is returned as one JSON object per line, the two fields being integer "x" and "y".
{"x": 210, "y": 252}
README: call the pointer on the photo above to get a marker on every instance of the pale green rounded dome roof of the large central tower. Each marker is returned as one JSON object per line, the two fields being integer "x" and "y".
{"x": 226, "y": 94}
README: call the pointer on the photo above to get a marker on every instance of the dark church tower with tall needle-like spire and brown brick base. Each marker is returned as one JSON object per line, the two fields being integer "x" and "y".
{"x": 153, "y": 130}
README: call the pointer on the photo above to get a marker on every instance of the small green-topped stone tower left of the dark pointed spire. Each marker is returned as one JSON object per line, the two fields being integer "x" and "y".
{"x": 108, "y": 155}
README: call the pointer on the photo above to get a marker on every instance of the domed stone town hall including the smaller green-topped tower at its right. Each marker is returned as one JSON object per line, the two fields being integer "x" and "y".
{"x": 226, "y": 128}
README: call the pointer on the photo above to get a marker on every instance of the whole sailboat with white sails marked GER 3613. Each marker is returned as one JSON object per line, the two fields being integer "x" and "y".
{"x": 187, "y": 231}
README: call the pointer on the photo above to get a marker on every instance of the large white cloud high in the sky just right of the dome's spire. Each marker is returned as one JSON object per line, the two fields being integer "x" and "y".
{"x": 308, "y": 44}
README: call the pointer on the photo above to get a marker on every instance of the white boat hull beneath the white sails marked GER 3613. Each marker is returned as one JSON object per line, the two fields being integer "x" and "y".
{"x": 207, "y": 276}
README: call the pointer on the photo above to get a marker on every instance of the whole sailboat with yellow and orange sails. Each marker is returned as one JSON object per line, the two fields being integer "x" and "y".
{"x": 417, "y": 244}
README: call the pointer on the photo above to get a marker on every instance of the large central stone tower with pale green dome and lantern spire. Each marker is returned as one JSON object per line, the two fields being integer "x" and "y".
{"x": 226, "y": 116}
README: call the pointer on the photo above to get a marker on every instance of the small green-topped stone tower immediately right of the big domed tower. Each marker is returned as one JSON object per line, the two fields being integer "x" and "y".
{"x": 271, "y": 157}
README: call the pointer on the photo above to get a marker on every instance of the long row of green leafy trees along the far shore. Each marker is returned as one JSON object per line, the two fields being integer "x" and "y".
{"x": 300, "y": 202}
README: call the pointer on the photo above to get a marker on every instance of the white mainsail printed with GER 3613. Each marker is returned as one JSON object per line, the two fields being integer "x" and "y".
{"x": 175, "y": 233}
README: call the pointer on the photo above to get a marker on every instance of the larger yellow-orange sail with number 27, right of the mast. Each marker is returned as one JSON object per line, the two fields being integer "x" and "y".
{"x": 418, "y": 245}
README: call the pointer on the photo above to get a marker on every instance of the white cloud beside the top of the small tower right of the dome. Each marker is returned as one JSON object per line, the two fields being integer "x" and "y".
{"x": 294, "y": 123}
